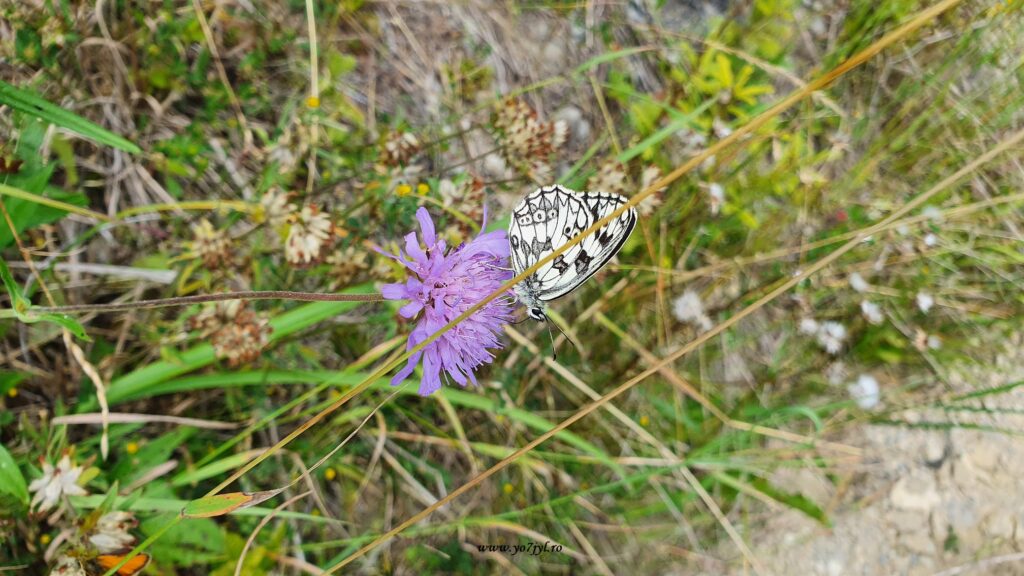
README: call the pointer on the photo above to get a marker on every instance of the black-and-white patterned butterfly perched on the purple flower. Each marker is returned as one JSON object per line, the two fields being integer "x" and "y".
{"x": 548, "y": 219}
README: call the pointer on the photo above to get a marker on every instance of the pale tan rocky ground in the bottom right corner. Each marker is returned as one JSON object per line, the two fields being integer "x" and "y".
{"x": 923, "y": 502}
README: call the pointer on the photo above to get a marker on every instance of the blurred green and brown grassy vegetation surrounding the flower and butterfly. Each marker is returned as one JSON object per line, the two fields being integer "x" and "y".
{"x": 245, "y": 145}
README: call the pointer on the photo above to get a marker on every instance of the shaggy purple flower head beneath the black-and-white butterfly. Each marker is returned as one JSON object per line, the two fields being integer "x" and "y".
{"x": 445, "y": 284}
